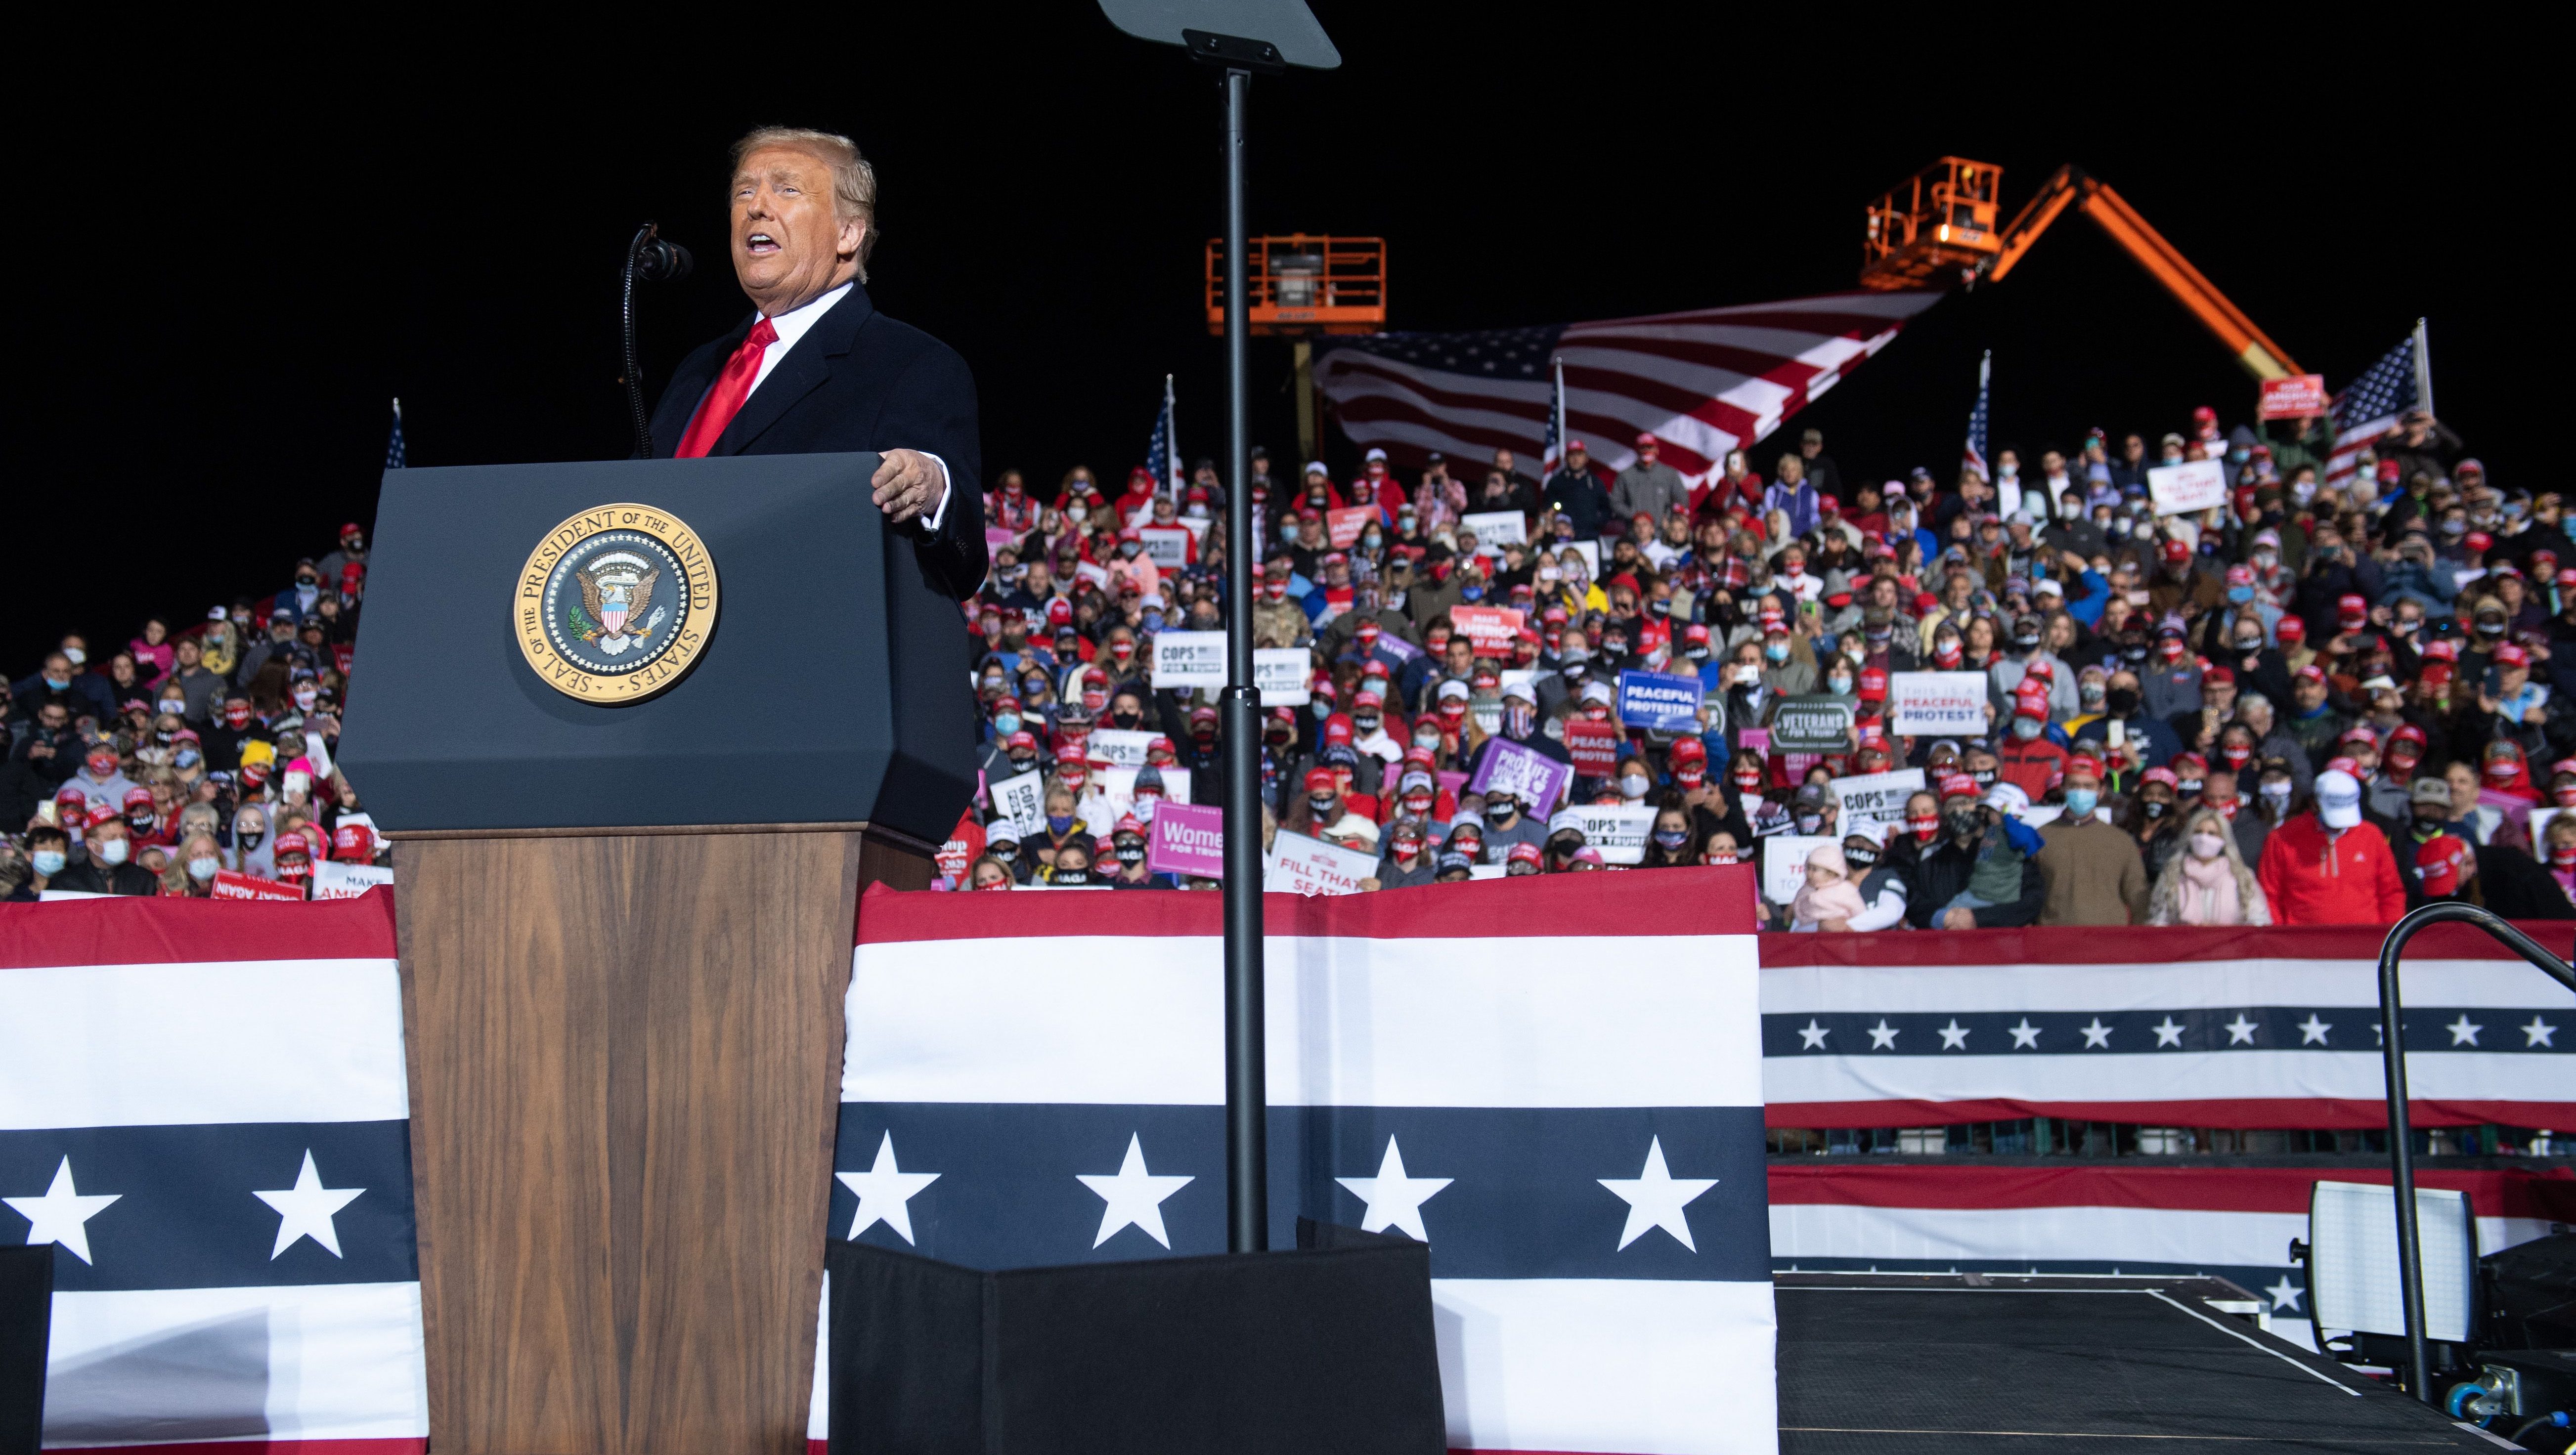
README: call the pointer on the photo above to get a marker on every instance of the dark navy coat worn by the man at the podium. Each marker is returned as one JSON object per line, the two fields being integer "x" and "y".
{"x": 857, "y": 382}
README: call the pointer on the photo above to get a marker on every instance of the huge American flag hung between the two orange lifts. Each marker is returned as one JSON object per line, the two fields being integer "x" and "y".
{"x": 1701, "y": 382}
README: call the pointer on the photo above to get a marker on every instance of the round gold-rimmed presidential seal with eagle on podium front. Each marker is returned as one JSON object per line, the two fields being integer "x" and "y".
{"x": 614, "y": 604}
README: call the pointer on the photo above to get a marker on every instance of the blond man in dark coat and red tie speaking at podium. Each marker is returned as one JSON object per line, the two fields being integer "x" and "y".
{"x": 818, "y": 370}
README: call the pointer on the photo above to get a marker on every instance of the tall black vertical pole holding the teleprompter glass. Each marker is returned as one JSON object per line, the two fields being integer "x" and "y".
{"x": 1248, "y": 1093}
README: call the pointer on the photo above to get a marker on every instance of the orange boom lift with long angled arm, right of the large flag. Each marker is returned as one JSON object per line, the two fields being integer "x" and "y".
{"x": 1938, "y": 230}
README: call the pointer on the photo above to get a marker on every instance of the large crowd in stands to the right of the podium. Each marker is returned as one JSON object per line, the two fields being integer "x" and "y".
{"x": 2317, "y": 704}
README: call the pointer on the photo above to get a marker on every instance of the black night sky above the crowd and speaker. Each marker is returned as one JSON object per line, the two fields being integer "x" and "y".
{"x": 228, "y": 272}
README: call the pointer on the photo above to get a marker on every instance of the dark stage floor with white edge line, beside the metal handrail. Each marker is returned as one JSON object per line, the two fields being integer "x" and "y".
{"x": 1995, "y": 1364}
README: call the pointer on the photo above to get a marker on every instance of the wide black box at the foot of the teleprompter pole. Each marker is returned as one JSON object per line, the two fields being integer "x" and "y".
{"x": 1323, "y": 1351}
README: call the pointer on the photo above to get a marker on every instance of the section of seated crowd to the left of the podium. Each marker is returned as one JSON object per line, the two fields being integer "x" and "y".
{"x": 197, "y": 758}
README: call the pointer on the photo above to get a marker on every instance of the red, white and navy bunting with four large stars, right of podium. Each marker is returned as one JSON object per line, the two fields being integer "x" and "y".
{"x": 1580, "y": 1152}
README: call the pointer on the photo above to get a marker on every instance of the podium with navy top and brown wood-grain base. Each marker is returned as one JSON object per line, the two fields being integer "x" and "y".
{"x": 625, "y": 954}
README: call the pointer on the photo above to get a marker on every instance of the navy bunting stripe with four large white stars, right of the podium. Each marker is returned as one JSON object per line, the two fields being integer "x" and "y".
{"x": 1524, "y": 1191}
